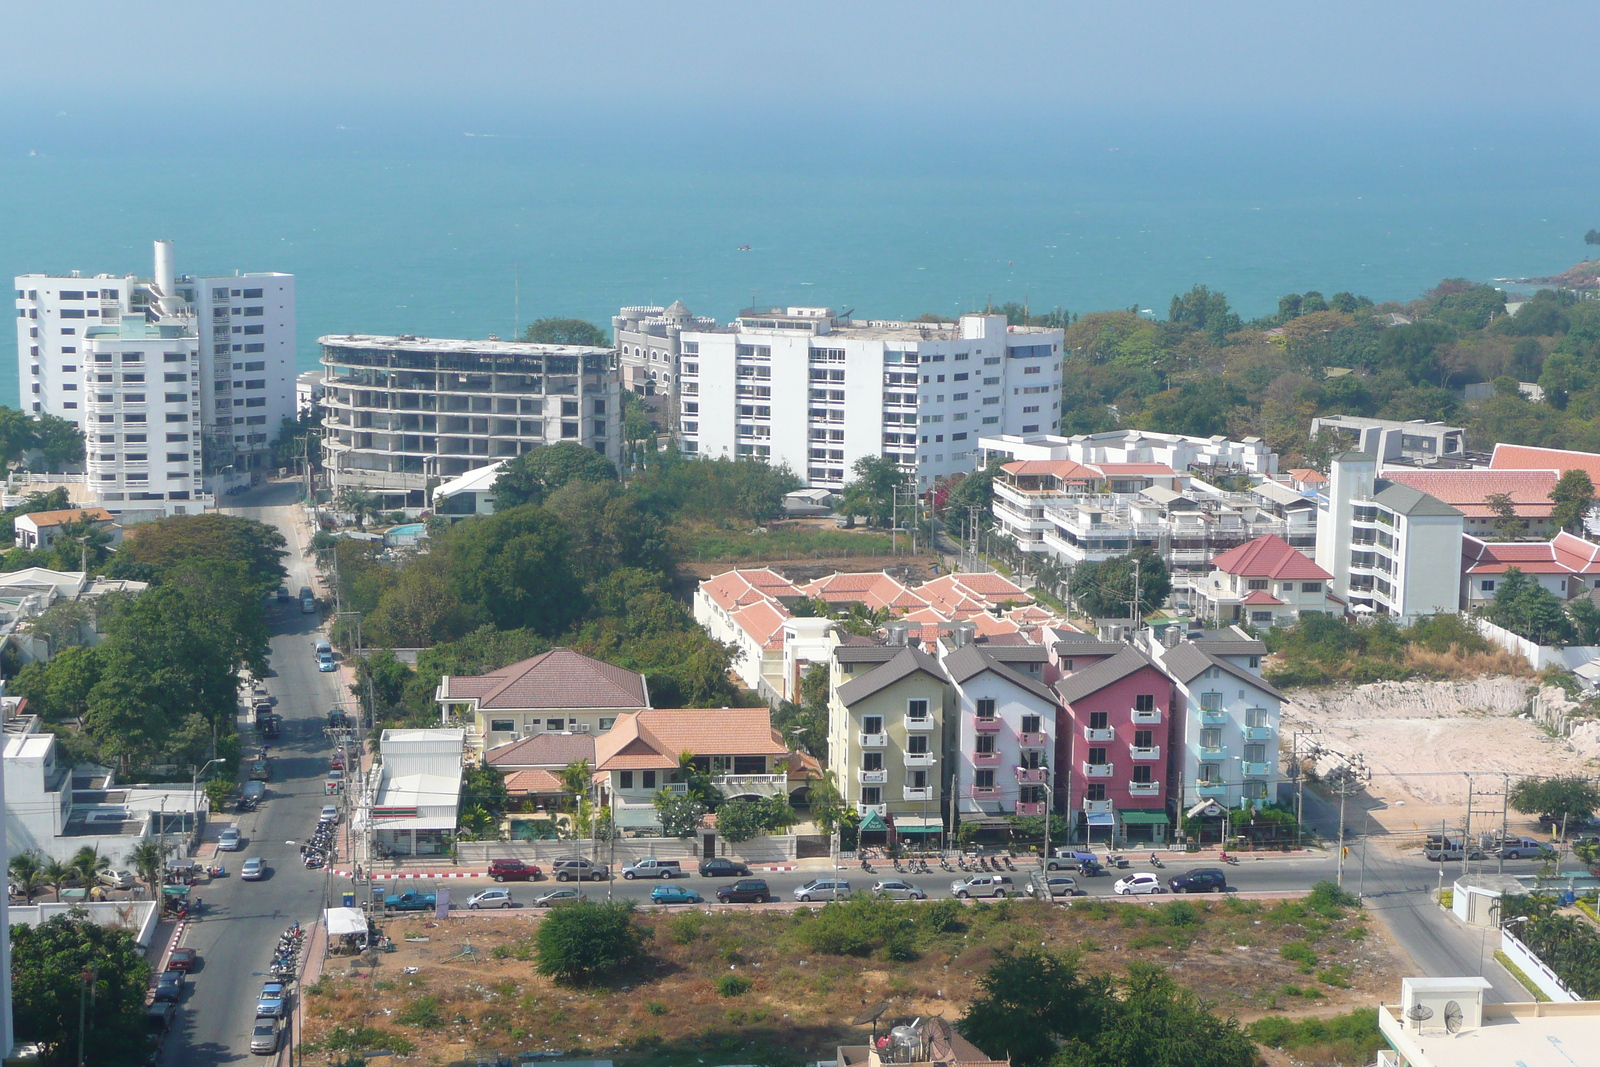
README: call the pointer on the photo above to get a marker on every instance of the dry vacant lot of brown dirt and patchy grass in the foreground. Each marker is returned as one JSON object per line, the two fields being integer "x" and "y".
{"x": 1249, "y": 957}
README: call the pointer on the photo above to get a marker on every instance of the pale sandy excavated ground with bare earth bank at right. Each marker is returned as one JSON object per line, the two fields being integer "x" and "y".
{"x": 1423, "y": 740}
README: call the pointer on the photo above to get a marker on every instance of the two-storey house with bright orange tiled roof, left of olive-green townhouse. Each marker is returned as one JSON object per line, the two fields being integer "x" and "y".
{"x": 641, "y": 756}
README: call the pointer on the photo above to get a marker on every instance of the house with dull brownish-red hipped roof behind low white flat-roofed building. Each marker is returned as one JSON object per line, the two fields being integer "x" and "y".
{"x": 558, "y": 692}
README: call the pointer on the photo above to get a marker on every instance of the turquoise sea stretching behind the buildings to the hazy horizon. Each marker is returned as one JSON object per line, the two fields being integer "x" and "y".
{"x": 439, "y": 236}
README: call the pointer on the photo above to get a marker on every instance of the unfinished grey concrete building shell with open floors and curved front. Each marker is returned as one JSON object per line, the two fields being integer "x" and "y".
{"x": 407, "y": 412}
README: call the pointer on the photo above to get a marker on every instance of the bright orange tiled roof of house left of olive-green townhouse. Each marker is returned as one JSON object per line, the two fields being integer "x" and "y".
{"x": 657, "y": 737}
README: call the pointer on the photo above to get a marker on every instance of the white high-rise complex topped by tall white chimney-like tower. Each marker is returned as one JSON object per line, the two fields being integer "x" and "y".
{"x": 241, "y": 334}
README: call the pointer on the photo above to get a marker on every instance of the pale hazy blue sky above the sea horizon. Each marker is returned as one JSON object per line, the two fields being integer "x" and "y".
{"x": 857, "y": 65}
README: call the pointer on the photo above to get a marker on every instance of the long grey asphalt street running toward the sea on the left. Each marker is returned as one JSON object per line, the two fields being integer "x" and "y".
{"x": 242, "y": 921}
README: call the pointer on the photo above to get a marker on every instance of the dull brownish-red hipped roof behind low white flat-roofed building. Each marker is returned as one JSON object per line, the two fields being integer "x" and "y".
{"x": 559, "y": 679}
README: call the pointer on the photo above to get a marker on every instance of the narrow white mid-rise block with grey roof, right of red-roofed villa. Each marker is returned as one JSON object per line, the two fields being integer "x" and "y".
{"x": 1391, "y": 549}
